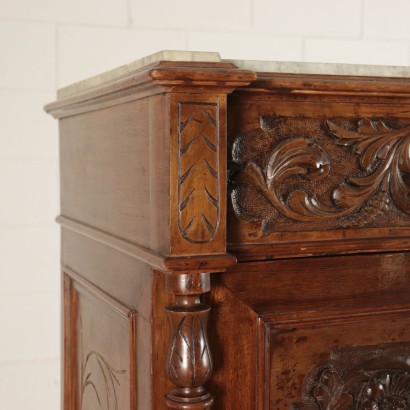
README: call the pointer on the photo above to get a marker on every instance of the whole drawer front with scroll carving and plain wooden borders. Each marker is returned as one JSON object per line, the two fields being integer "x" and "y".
{"x": 317, "y": 177}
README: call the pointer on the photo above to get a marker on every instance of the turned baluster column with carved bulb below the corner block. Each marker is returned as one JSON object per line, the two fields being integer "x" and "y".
{"x": 189, "y": 362}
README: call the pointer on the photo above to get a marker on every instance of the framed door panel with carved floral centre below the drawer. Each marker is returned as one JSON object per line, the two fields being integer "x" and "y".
{"x": 338, "y": 364}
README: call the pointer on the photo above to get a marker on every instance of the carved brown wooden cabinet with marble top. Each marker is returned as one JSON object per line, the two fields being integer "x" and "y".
{"x": 236, "y": 235}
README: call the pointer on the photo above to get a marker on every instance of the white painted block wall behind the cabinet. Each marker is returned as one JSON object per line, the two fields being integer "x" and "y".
{"x": 46, "y": 44}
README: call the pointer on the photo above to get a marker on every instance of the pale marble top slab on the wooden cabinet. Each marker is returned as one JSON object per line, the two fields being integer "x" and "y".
{"x": 253, "y": 65}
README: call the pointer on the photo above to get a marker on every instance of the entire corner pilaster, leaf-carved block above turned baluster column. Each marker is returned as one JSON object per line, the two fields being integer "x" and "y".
{"x": 197, "y": 120}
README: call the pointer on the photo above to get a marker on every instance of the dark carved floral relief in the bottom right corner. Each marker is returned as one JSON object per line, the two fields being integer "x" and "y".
{"x": 371, "y": 377}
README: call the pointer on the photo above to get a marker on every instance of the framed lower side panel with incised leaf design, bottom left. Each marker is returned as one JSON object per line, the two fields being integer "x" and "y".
{"x": 99, "y": 350}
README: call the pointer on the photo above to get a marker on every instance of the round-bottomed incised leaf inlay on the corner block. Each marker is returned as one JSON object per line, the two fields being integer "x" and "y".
{"x": 198, "y": 171}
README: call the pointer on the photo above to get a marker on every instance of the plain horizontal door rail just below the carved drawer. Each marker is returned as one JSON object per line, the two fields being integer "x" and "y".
{"x": 338, "y": 282}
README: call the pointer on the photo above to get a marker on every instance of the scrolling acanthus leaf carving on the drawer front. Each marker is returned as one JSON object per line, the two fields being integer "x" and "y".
{"x": 384, "y": 155}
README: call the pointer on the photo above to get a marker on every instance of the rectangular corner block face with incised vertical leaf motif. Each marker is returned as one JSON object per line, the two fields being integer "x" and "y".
{"x": 198, "y": 174}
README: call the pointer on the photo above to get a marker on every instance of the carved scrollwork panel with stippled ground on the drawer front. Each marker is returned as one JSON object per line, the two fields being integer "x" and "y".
{"x": 312, "y": 174}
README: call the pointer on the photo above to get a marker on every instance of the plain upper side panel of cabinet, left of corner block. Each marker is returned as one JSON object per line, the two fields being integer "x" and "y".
{"x": 108, "y": 164}
